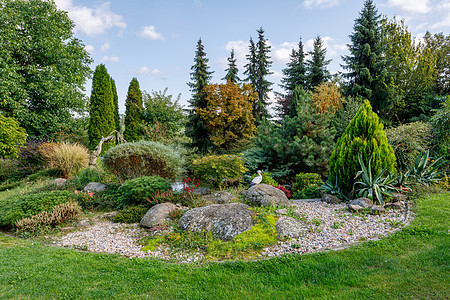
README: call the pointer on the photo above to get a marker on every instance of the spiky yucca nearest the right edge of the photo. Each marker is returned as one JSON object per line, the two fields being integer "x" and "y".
{"x": 425, "y": 170}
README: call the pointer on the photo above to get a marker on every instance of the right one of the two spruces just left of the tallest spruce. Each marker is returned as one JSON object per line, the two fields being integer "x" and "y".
{"x": 316, "y": 66}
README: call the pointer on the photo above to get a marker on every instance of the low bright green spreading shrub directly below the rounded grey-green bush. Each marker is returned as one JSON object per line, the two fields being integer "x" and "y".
{"x": 140, "y": 190}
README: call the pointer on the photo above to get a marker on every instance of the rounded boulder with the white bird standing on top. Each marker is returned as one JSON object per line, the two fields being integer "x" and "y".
{"x": 266, "y": 195}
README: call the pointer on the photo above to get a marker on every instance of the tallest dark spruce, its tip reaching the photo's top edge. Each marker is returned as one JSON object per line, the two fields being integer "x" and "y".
{"x": 367, "y": 76}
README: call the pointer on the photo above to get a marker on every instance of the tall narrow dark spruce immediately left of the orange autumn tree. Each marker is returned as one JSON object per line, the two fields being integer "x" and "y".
{"x": 200, "y": 76}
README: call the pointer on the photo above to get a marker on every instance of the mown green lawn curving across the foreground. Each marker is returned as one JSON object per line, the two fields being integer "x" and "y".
{"x": 411, "y": 264}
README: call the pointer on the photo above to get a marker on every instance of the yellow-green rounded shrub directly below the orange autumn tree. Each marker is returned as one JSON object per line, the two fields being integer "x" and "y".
{"x": 215, "y": 168}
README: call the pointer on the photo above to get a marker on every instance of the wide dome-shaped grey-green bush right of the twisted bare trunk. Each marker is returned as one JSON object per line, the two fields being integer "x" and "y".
{"x": 143, "y": 158}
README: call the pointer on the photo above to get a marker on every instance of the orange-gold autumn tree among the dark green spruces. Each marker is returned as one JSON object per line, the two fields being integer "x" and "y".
{"x": 228, "y": 114}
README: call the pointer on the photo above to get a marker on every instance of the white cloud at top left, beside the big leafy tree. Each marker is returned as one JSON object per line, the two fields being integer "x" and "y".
{"x": 92, "y": 21}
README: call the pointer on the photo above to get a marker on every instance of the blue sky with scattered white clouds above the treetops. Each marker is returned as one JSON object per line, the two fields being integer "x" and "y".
{"x": 155, "y": 40}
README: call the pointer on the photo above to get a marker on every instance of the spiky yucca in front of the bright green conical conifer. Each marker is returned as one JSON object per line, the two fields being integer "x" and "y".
{"x": 373, "y": 187}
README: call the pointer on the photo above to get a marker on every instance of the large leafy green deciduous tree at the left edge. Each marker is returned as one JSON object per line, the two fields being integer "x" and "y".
{"x": 43, "y": 66}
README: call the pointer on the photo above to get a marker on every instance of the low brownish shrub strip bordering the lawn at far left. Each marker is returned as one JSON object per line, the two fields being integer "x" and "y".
{"x": 64, "y": 212}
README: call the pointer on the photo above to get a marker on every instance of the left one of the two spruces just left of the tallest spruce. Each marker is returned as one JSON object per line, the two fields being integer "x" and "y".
{"x": 295, "y": 71}
